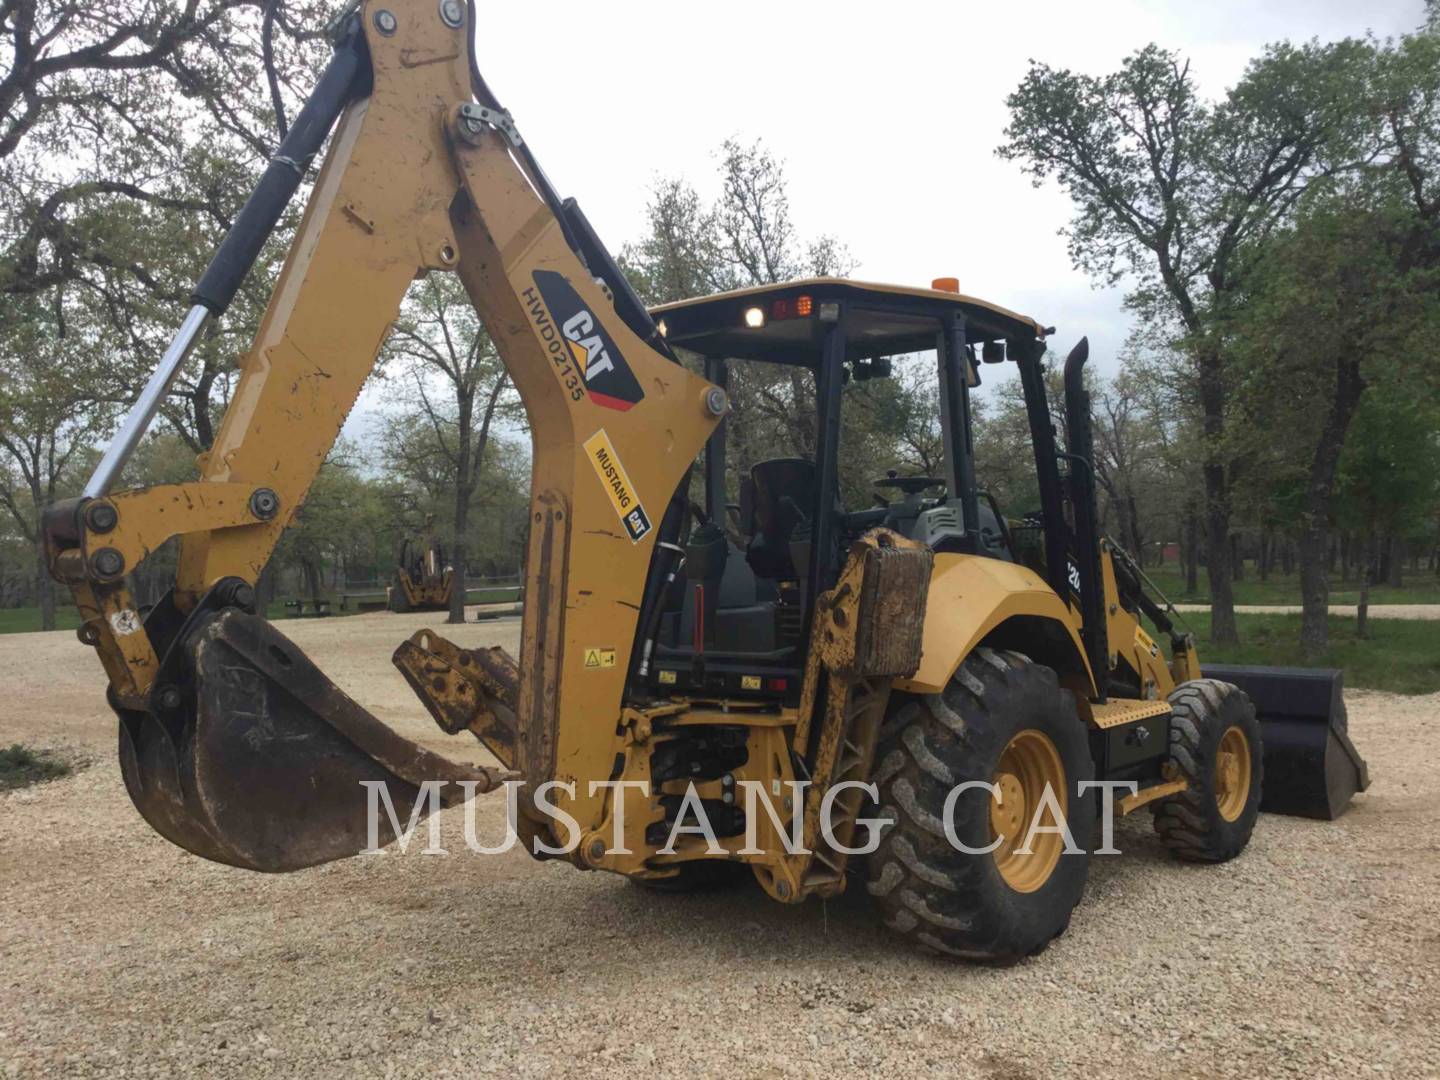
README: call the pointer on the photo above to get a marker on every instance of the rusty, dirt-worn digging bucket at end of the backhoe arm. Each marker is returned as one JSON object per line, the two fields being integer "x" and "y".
{"x": 253, "y": 758}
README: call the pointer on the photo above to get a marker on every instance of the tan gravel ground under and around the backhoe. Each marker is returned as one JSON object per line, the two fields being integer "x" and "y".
{"x": 1315, "y": 954}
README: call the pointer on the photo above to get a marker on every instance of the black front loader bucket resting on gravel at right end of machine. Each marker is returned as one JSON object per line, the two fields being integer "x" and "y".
{"x": 1311, "y": 767}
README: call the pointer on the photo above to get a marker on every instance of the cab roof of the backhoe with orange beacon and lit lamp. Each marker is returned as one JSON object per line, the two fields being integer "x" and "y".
{"x": 883, "y": 320}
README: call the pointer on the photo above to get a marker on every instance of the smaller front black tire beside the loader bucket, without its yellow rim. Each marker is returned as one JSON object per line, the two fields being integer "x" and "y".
{"x": 1190, "y": 824}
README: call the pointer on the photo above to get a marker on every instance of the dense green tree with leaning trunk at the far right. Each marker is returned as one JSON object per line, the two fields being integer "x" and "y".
{"x": 1336, "y": 307}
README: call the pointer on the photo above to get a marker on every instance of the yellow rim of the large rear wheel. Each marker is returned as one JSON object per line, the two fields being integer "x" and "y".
{"x": 1029, "y": 764}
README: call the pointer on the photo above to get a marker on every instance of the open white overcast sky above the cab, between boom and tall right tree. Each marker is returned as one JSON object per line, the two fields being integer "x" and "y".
{"x": 886, "y": 116}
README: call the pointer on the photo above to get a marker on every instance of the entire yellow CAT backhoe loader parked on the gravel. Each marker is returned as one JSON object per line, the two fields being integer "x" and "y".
{"x": 701, "y": 695}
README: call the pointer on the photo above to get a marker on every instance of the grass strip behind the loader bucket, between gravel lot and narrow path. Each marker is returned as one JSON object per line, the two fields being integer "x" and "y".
{"x": 1402, "y": 656}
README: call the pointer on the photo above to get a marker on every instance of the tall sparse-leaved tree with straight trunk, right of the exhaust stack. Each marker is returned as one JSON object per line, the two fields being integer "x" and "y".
{"x": 1169, "y": 191}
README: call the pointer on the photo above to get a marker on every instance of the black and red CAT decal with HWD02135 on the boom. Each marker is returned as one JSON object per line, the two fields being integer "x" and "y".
{"x": 582, "y": 352}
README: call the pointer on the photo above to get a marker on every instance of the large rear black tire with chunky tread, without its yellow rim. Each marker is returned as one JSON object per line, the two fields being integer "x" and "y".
{"x": 932, "y": 894}
